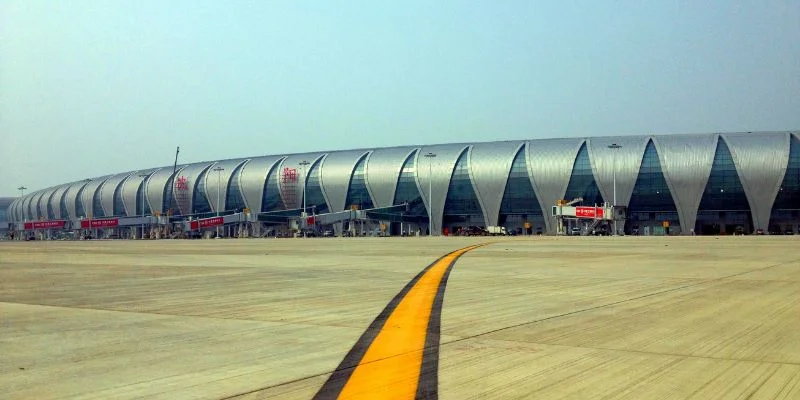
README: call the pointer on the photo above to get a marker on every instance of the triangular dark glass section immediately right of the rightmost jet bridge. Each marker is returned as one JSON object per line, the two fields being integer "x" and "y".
{"x": 651, "y": 203}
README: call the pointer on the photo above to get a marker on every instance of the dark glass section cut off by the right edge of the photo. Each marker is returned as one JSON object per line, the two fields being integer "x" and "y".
{"x": 785, "y": 215}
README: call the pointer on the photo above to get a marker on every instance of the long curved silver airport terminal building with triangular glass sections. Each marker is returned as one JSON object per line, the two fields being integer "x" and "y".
{"x": 668, "y": 184}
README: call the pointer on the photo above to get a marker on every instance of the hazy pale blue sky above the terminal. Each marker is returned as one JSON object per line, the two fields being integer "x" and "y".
{"x": 89, "y": 88}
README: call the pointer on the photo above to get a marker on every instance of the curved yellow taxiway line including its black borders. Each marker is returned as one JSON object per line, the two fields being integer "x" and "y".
{"x": 397, "y": 356}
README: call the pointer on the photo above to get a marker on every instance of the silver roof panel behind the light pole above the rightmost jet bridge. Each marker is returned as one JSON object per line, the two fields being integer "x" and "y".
{"x": 626, "y": 160}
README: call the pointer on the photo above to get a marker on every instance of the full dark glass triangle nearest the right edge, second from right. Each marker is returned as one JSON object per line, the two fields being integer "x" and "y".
{"x": 724, "y": 208}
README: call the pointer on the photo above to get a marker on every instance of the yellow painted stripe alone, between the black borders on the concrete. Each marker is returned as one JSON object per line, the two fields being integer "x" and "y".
{"x": 391, "y": 366}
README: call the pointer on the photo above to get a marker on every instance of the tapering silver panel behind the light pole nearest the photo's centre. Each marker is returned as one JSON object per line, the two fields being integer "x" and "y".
{"x": 435, "y": 174}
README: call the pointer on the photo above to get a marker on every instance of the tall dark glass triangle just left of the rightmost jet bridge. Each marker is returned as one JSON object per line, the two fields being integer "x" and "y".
{"x": 520, "y": 210}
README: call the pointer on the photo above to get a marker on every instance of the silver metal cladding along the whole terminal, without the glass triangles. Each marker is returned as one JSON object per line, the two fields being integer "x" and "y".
{"x": 760, "y": 159}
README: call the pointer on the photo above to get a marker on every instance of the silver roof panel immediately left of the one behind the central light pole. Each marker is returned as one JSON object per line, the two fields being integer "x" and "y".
{"x": 382, "y": 172}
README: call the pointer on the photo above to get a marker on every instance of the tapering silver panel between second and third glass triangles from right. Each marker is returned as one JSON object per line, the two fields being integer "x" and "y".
{"x": 686, "y": 162}
